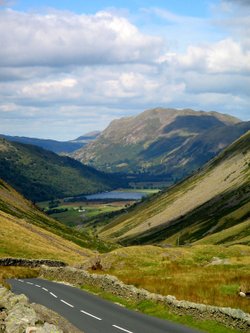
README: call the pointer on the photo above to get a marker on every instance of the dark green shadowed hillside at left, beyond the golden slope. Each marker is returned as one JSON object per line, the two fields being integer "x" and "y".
{"x": 43, "y": 175}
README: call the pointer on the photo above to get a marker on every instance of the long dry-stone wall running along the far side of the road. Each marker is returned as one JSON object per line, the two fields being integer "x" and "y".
{"x": 234, "y": 318}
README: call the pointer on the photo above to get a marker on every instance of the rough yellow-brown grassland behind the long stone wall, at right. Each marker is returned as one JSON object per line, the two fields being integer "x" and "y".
{"x": 186, "y": 273}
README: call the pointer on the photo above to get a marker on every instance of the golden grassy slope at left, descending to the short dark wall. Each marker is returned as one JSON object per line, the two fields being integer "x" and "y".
{"x": 26, "y": 232}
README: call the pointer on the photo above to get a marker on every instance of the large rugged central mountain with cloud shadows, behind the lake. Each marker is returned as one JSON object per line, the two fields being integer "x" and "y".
{"x": 165, "y": 142}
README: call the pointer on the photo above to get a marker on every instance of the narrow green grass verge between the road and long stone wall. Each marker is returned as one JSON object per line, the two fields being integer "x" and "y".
{"x": 162, "y": 312}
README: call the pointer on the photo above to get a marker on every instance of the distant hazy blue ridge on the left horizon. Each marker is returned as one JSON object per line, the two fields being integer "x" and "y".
{"x": 58, "y": 147}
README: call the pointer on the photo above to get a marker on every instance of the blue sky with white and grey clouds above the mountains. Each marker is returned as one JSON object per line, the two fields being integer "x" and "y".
{"x": 71, "y": 67}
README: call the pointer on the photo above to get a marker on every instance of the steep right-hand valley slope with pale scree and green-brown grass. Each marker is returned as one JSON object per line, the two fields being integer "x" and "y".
{"x": 212, "y": 206}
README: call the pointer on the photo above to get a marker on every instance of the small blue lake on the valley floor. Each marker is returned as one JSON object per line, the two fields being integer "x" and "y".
{"x": 117, "y": 195}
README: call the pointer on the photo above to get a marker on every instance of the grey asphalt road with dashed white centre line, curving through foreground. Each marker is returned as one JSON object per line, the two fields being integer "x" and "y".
{"x": 89, "y": 312}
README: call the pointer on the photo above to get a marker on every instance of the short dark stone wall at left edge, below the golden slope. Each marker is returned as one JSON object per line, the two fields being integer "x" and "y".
{"x": 31, "y": 262}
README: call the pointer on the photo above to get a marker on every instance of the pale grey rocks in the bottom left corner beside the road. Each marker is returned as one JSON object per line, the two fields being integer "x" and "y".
{"x": 17, "y": 315}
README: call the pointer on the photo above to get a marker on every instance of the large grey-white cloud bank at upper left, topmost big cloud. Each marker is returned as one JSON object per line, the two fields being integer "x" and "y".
{"x": 60, "y": 38}
